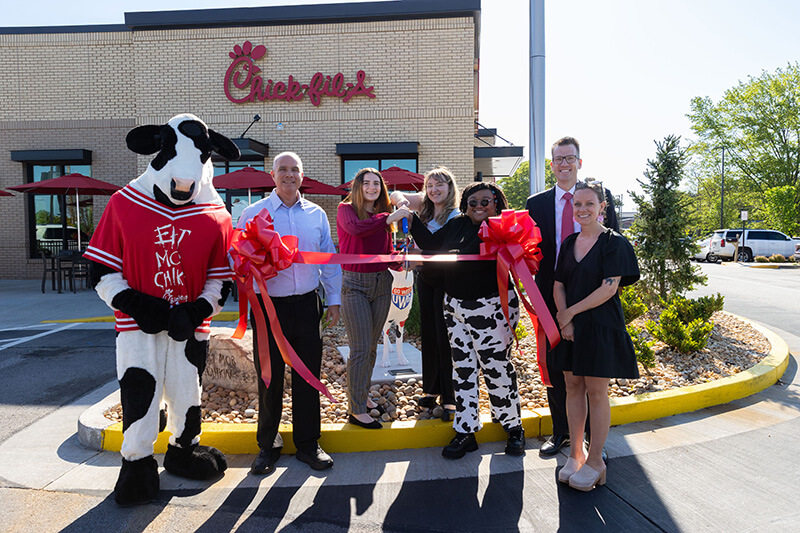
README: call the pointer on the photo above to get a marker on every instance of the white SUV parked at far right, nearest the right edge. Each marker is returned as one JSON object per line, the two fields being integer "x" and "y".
{"x": 764, "y": 242}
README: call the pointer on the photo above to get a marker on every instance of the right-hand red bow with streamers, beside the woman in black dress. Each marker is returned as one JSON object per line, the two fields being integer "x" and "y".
{"x": 513, "y": 238}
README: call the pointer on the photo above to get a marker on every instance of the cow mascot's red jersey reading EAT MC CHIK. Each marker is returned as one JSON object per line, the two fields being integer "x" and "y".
{"x": 166, "y": 252}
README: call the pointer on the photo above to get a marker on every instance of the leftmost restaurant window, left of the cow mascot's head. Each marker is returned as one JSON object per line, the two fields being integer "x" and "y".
{"x": 52, "y": 217}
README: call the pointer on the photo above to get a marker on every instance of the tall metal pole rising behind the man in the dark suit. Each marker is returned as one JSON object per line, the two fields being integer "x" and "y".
{"x": 536, "y": 94}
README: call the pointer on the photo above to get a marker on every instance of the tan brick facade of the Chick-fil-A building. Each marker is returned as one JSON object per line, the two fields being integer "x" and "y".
{"x": 87, "y": 90}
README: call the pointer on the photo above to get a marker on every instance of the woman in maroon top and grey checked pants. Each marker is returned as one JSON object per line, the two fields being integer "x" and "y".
{"x": 363, "y": 224}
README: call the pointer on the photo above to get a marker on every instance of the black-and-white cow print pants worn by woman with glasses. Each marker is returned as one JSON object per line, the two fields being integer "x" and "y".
{"x": 481, "y": 340}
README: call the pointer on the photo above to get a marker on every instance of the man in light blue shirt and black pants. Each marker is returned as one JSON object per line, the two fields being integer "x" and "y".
{"x": 299, "y": 308}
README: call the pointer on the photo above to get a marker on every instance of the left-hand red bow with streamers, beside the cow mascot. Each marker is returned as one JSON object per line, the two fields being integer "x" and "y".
{"x": 259, "y": 253}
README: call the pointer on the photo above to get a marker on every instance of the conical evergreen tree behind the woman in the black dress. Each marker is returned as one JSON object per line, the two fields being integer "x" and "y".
{"x": 662, "y": 224}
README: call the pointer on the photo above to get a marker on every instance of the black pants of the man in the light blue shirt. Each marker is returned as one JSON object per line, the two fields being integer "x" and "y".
{"x": 299, "y": 317}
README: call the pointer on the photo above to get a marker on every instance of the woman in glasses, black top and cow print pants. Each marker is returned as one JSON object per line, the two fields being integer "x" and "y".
{"x": 480, "y": 337}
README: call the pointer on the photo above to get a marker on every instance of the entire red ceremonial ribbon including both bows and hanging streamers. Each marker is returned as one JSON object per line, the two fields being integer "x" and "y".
{"x": 259, "y": 252}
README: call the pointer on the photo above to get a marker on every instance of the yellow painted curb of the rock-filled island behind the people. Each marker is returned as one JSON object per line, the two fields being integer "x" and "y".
{"x": 341, "y": 438}
